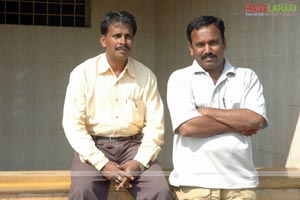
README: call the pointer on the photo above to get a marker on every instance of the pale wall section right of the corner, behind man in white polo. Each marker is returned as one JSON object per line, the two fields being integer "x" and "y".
{"x": 267, "y": 44}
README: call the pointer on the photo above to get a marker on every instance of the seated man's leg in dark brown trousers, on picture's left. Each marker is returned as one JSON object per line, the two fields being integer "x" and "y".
{"x": 86, "y": 182}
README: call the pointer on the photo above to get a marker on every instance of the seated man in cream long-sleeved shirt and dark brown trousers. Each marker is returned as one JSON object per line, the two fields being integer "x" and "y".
{"x": 114, "y": 120}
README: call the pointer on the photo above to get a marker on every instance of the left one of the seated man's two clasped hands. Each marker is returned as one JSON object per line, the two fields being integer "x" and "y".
{"x": 113, "y": 172}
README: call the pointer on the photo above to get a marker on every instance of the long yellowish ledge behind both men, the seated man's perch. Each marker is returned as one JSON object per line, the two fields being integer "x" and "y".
{"x": 57, "y": 182}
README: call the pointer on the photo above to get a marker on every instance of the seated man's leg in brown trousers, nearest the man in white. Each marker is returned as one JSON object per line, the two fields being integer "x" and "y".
{"x": 151, "y": 185}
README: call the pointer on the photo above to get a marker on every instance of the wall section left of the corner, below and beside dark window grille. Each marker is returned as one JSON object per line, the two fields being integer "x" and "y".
{"x": 35, "y": 62}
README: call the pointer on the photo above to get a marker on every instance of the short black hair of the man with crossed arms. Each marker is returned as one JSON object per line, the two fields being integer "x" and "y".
{"x": 205, "y": 21}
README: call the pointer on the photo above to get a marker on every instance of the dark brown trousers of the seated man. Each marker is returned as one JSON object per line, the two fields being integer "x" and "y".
{"x": 87, "y": 183}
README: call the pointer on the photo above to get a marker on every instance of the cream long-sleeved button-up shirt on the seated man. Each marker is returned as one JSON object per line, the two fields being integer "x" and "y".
{"x": 99, "y": 103}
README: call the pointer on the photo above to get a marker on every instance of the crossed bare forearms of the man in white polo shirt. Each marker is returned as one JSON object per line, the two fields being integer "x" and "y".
{"x": 215, "y": 121}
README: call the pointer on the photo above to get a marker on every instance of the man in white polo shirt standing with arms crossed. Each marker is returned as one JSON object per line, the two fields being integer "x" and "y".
{"x": 215, "y": 108}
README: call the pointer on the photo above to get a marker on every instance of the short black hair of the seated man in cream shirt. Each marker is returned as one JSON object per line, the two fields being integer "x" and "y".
{"x": 113, "y": 17}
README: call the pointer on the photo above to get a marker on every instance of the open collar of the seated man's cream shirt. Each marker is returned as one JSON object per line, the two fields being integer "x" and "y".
{"x": 103, "y": 66}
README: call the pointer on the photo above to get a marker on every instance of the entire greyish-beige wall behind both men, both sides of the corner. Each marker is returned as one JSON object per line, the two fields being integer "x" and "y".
{"x": 35, "y": 63}
